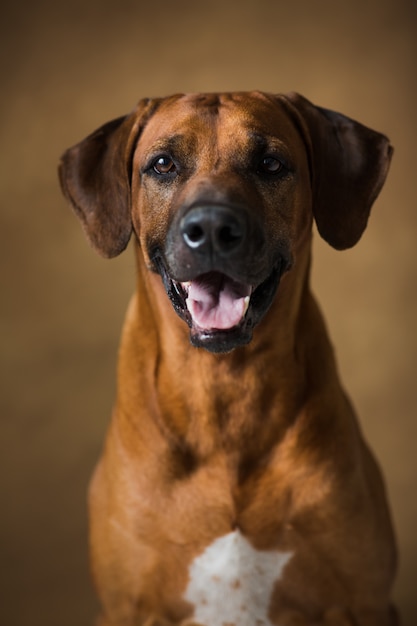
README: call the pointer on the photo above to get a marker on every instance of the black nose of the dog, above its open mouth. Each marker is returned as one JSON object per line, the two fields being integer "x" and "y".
{"x": 214, "y": 228}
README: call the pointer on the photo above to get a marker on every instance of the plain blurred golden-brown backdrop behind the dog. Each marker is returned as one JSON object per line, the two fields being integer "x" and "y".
{"x": 66, "y": 68}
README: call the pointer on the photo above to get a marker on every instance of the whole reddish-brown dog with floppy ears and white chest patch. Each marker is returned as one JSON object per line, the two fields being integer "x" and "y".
{"x": 235, "y": 488}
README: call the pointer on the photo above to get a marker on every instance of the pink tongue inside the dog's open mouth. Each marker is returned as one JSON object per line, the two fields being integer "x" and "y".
{"x": 216, "y": 301}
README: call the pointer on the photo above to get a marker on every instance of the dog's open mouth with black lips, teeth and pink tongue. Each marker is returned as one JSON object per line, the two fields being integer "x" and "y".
{"x": 220, "y": 311}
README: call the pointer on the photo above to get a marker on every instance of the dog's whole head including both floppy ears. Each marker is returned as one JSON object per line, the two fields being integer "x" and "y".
{"x": 220, "y": 189}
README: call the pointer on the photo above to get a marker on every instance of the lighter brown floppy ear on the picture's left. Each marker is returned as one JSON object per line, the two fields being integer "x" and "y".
{"x": 95, "y": 177}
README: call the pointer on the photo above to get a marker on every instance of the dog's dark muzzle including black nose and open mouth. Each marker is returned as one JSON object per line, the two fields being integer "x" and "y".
{"x": 211, "y": 272}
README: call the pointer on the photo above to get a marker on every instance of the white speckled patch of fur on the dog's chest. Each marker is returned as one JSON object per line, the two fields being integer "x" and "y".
{"x": 231, "y": 583}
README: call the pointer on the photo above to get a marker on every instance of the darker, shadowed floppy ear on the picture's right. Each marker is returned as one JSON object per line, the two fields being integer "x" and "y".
{"x": 348, "y": 163}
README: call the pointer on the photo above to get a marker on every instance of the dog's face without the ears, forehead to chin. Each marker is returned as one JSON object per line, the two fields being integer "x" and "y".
{"x": 221, "y": 194}
